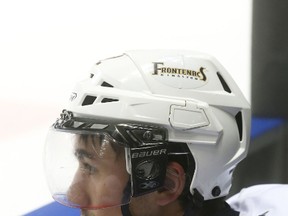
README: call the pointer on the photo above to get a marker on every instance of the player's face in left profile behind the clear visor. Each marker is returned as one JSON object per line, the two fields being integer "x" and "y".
{"x": 101, "y": 178}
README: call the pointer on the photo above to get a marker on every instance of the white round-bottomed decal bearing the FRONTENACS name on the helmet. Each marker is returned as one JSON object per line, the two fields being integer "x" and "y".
{"x": 180, "y": 77}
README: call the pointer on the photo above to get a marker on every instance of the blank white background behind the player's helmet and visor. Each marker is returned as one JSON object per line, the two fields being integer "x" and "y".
{"x": 46, "y": 46}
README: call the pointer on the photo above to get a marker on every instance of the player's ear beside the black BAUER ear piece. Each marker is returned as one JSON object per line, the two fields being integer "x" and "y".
{"x": 174, "y": 184}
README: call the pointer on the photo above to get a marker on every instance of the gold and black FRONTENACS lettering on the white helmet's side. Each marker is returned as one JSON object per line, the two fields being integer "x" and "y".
{"x": 179, "y": 72}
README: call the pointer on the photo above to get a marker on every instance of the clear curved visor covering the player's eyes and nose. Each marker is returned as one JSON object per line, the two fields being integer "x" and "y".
{"x": 86, "y": 171}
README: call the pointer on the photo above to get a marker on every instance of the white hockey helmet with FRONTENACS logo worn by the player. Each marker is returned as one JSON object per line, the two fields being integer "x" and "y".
{"x": 178, "y": 97}
